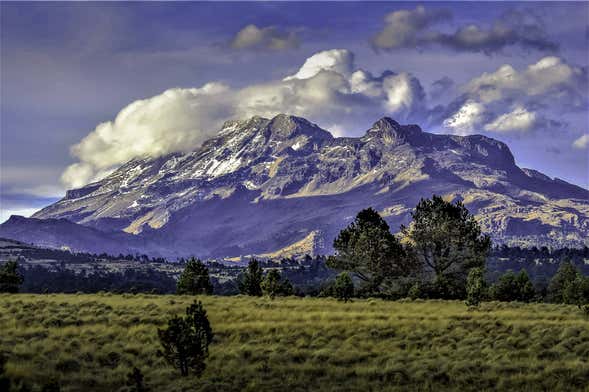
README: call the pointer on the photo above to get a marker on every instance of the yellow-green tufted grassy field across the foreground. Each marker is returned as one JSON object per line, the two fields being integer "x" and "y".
{"x": 90, "y": 343}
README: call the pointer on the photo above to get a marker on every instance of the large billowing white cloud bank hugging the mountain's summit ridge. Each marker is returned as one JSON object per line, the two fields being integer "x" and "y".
{"x": 328, "y": 88}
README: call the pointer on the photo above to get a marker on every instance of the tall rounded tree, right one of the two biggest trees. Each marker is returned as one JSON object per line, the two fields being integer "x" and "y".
{"x": 447, "y": 242}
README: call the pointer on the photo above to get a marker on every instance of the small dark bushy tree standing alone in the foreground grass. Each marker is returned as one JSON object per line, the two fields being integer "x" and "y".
{"x": 186, "y": 340}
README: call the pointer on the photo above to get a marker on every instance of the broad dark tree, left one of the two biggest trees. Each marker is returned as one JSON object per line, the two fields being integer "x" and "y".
{"x": 368, "y": 249}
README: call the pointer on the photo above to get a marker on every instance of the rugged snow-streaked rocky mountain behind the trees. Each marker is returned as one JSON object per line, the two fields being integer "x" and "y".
{"x": 262, "y": 185}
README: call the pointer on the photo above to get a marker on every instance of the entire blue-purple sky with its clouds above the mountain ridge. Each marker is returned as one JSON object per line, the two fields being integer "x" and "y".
{"x": 513, "y": 71}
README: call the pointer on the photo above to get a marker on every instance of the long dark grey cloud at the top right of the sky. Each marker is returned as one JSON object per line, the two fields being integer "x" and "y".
{"x": 413, "y": 28}
